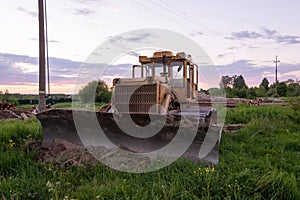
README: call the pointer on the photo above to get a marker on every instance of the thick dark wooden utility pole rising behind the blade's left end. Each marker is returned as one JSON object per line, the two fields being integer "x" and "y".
{"x": 42, "y": 64}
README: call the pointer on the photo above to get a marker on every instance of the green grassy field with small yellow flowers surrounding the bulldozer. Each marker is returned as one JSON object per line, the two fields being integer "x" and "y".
{"x": 260, "y": 161}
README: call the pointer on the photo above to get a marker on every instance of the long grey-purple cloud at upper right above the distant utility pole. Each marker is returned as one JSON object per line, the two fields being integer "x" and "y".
{"x": 265, "y": 33}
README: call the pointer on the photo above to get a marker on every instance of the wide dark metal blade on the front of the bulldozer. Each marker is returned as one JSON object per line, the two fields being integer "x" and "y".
{"x": 82, "y": 128}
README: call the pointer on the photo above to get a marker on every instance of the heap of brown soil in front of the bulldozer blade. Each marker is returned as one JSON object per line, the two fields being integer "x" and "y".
{"x": 64, "y": 153}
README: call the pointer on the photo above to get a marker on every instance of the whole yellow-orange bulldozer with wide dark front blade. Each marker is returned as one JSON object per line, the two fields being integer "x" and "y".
{"x": 156, "y": 110}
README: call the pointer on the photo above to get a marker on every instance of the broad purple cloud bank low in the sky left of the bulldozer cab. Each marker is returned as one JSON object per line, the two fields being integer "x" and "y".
{"x": 22, "y": 71}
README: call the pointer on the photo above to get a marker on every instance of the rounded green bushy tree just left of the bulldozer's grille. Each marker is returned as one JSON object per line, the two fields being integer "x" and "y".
{"x": 95, "y": 91}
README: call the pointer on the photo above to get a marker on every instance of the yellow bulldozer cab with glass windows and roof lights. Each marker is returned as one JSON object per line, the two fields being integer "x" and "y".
{"x": 178, "y": 71}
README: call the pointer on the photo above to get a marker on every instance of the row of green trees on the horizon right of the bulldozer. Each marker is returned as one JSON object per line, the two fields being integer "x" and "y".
{"x": 236, "y": 87}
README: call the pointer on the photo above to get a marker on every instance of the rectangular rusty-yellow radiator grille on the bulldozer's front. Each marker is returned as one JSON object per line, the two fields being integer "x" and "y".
{"x": 140, "y": 98}
